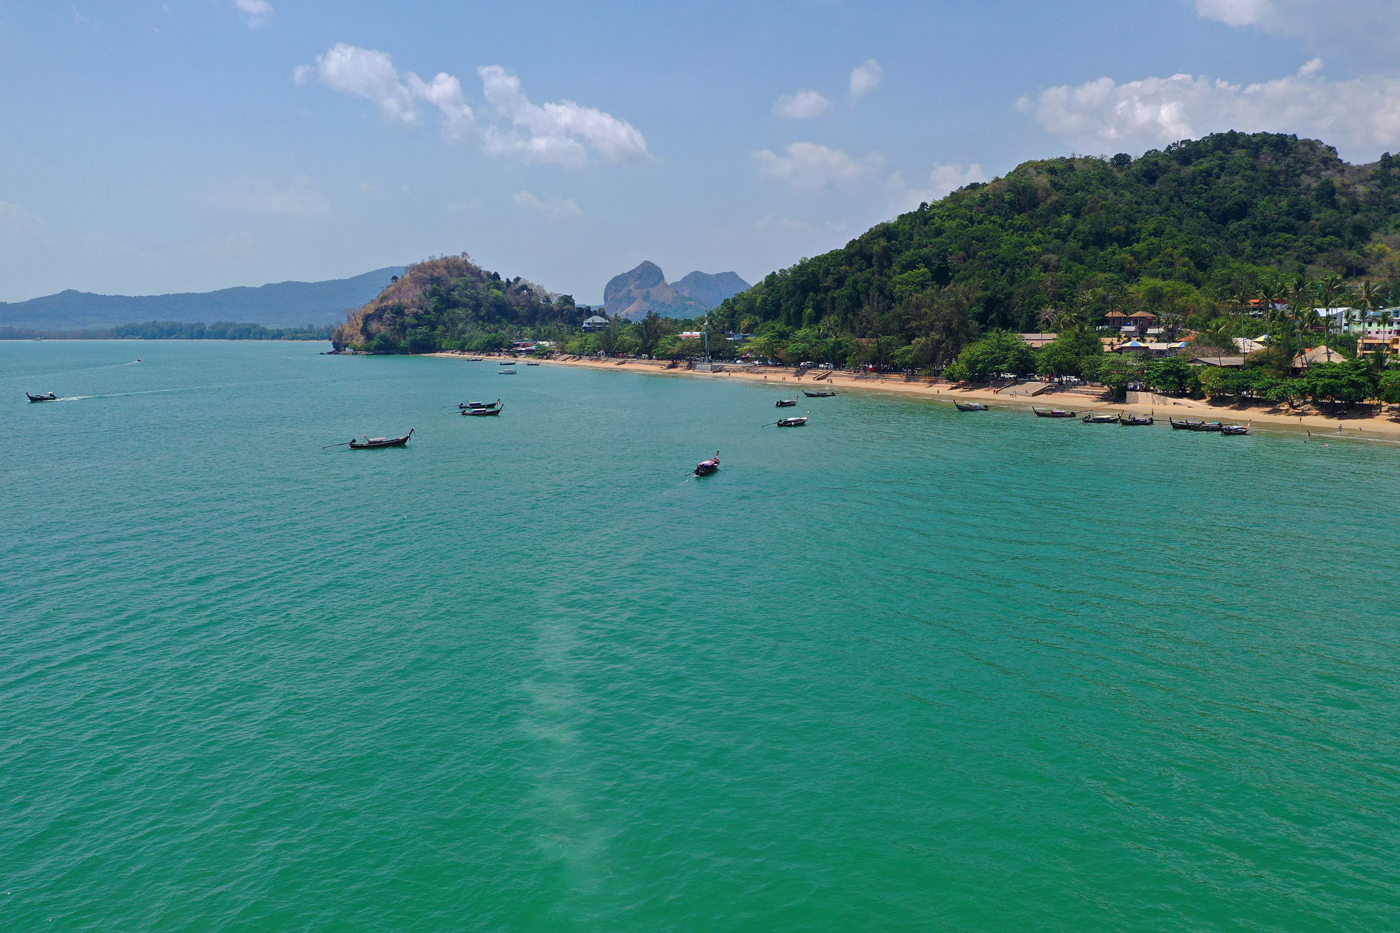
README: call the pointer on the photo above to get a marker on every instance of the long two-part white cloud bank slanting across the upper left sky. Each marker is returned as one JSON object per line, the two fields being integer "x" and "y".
{"x": 565, "y": 134}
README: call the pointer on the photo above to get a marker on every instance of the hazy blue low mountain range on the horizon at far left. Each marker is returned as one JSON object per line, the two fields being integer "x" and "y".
{"x": 285, "y": 305}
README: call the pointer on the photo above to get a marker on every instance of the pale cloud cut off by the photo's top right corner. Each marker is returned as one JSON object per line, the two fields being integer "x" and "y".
{"x": 1363, "y": 30}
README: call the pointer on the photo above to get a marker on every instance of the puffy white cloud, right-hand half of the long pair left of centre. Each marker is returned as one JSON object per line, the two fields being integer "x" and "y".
{"x": 555, "y": 134}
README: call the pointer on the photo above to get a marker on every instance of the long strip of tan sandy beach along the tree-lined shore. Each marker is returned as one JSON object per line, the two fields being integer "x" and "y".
{"x": 1079, "y": 400}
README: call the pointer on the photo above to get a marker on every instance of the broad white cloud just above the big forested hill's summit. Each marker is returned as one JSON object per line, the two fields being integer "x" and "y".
{"x": 1360, "y": 117}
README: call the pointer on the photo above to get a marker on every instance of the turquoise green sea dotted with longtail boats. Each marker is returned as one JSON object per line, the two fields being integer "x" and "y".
{"x": 899, "y": 670}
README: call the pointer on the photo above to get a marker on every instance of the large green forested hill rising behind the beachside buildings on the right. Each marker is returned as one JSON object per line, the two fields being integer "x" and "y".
{"x": 1184, "y": 230}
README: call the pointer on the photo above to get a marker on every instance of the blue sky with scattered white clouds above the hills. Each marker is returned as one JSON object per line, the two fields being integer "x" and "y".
{"x": 153, "y": 146}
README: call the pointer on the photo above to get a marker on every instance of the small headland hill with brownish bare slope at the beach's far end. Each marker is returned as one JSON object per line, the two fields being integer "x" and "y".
{"x": 453, "y": 305}
